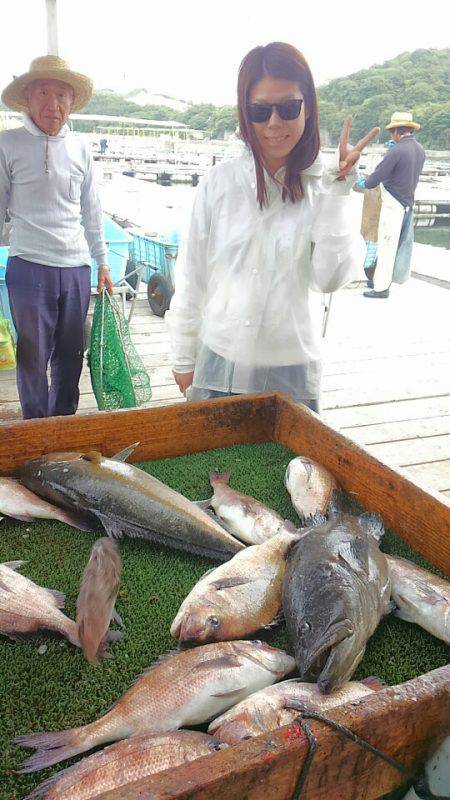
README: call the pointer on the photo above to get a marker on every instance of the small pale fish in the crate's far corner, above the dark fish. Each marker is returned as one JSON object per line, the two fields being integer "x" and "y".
{"x": 310, "y": 486}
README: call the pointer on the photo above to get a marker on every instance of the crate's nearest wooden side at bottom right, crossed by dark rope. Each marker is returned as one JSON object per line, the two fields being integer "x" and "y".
{"x": 404, "y": 722}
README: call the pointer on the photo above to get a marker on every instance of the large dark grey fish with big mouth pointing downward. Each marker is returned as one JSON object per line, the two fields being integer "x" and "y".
{"x": 335, "y": 590}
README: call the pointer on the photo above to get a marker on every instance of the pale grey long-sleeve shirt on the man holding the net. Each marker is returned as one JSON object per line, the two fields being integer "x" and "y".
{"x": 48, "y": 187}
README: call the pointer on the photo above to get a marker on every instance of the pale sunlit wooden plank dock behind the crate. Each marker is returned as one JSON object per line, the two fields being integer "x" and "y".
{"x": 386, "y": 376}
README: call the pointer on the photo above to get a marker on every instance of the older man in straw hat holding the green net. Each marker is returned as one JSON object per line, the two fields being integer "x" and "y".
{"x": 47, "y": 185}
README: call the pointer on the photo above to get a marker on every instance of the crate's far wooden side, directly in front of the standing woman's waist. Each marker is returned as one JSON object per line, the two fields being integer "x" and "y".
{"x": 248, "y": 419}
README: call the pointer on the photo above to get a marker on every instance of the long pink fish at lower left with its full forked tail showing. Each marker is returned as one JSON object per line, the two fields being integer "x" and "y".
{"x": 182, "y": 689}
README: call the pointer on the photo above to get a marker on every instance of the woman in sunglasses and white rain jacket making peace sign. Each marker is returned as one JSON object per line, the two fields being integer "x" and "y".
{"x": 266, "y": 229}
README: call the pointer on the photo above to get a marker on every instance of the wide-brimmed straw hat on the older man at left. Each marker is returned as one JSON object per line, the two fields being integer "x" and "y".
{"x": 48, "y": 67}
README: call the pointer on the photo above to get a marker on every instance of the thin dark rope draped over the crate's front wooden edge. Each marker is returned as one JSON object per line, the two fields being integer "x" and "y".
{"x": 348, "y": 734}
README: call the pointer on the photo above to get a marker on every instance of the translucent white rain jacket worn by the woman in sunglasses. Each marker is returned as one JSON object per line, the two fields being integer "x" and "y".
{"x": 244, "y": 277}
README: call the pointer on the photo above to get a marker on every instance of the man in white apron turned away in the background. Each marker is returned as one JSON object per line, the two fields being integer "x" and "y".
{"x": 398, "y": 175}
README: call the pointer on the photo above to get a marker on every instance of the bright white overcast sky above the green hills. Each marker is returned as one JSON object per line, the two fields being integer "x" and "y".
{"x": 191, "y": 49}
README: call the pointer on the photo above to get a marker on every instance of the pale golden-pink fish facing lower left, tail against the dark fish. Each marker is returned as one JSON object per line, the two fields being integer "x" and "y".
{"x": 238, "y": 597}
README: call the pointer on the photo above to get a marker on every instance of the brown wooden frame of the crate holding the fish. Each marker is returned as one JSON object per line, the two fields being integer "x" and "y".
{"x": 404, "y": 722}
